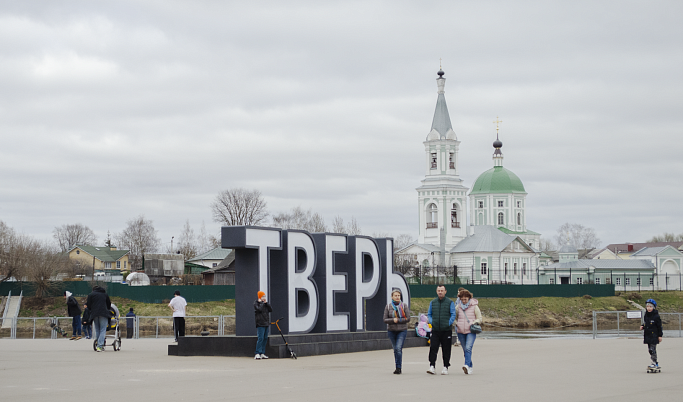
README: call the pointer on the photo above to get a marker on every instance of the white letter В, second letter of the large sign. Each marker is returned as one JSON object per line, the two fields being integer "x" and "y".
{"x": 303, "y": 308}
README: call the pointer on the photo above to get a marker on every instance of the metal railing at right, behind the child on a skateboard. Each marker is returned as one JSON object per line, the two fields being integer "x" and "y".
{"x": 609, "y": 324}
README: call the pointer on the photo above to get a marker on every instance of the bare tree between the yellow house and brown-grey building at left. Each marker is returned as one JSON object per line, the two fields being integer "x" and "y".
{"x": 140, "y": 238}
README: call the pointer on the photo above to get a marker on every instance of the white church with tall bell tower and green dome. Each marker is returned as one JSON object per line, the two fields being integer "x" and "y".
{"x": 494, "y": 244}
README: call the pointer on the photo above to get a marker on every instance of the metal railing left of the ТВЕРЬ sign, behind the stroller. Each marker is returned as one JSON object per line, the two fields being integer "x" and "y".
{"x": 143, "y": 326}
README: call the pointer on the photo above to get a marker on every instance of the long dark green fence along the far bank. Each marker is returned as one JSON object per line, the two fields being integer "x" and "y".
{"x": 199, "y": 294}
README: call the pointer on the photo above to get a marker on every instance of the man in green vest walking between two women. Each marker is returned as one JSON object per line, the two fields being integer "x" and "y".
{"x": 441, "y": 315}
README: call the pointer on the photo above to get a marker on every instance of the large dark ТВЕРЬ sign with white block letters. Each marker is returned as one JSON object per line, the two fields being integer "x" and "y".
{"x": 319, "y": 282}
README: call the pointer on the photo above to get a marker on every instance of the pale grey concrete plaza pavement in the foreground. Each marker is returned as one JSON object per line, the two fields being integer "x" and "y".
{"x": 504, "y": 370}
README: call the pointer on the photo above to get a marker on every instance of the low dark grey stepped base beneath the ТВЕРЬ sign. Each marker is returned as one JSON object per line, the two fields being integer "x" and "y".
{"x": 302, "y": 345}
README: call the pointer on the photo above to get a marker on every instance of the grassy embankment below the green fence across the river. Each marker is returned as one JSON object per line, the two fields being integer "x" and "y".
{"x": 542, "y": 312}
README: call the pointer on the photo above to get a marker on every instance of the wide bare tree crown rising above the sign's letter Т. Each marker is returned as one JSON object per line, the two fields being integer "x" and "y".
{"x": 238, "y": 206}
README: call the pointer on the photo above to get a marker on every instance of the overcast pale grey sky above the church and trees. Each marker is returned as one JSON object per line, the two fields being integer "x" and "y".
{"x": 109, "y": 110}
